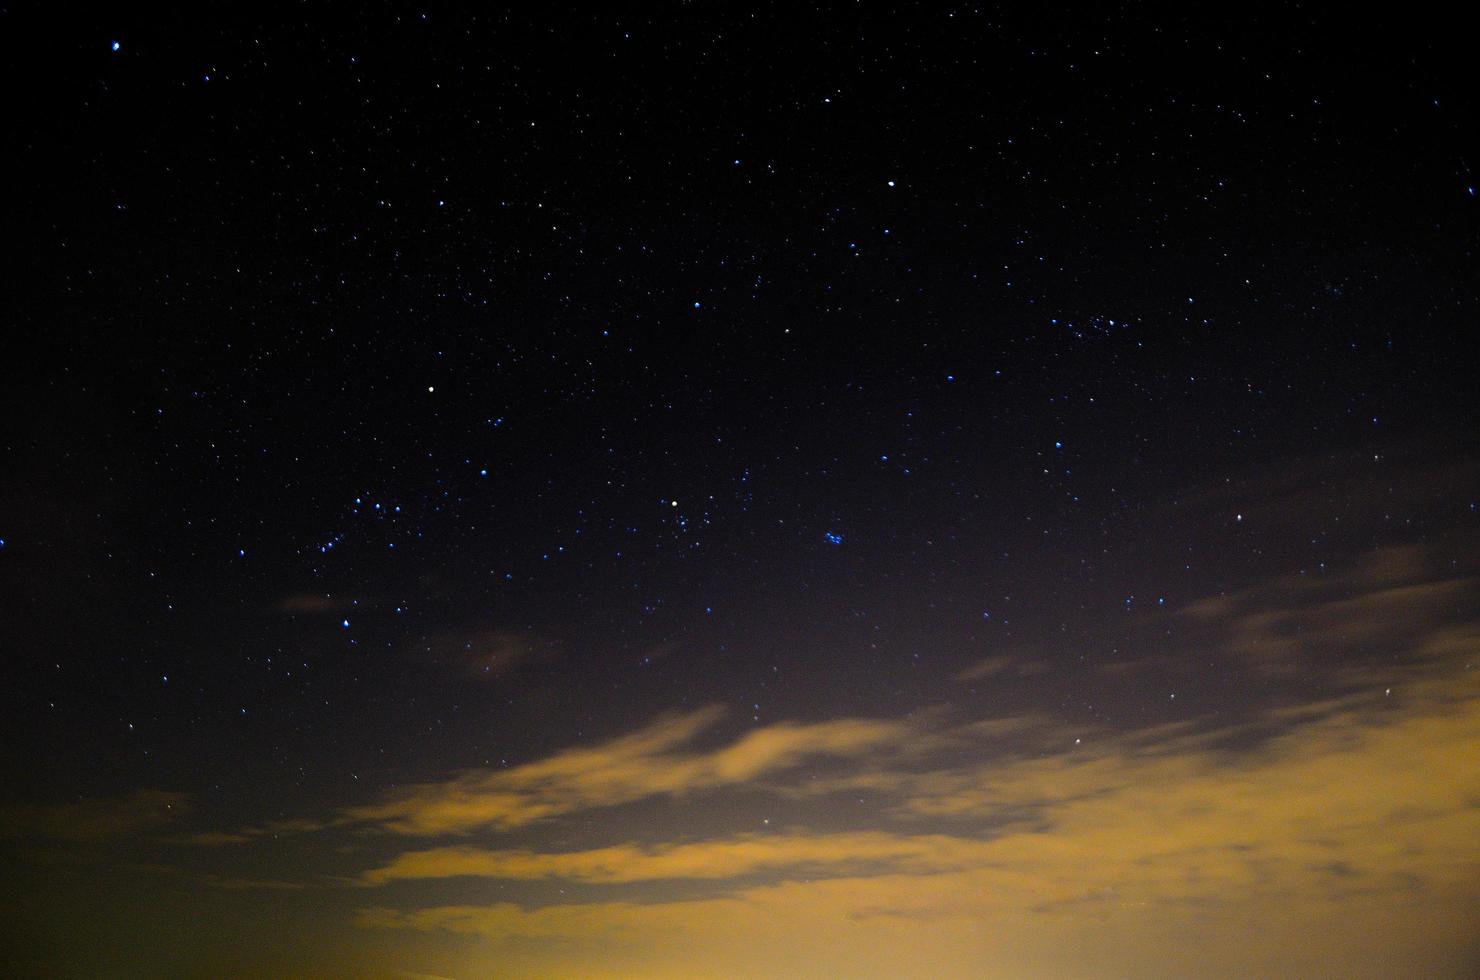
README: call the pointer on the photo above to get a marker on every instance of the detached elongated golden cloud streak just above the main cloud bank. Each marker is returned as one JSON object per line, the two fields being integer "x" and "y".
{"x": 645, "y": 765}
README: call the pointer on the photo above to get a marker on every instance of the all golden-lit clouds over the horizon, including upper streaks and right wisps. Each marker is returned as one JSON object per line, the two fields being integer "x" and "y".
{"x": 1316, "y": 825}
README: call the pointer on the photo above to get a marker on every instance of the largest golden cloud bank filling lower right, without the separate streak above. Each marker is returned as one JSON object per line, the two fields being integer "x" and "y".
{"x": 1330, "y": 828}
